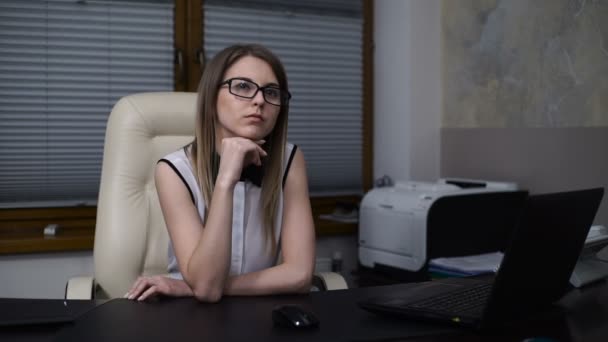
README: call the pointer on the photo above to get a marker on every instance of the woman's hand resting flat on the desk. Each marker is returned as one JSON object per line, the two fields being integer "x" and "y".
{"x": 148, "y": 287}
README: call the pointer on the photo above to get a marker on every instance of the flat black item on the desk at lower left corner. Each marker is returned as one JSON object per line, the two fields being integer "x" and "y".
{"x": 19, "y": 312}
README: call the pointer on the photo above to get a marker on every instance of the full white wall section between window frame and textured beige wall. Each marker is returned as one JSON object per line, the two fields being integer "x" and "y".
{"x": 407, "y": 88}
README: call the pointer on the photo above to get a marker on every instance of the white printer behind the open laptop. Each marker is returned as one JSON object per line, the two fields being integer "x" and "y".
{"x": 392, "y": 220}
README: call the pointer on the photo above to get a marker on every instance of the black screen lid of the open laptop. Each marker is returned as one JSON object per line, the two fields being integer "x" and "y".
{"x": 543, "y": 251}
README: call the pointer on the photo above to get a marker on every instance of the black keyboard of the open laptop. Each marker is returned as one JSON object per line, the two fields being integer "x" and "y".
{"x": 466, "y": 302}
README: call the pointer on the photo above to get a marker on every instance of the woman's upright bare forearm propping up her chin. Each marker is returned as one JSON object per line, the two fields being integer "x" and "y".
{"x": 209, "y": 265}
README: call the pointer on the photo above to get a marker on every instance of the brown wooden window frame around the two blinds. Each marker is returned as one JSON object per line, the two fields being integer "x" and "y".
{"x": 22, "y": 229}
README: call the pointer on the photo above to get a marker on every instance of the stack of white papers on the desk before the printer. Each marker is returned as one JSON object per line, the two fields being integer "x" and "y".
{"x": 468, "y": 265}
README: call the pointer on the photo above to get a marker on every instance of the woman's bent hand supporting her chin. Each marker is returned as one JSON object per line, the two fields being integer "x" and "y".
{"x": 236, "y": 154}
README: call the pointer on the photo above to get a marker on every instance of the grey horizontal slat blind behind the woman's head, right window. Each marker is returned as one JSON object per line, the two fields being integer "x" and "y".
{"x": 322, "y": 53}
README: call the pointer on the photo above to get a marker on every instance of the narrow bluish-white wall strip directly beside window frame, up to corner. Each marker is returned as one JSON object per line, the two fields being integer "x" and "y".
{"x": 392, "y": 89}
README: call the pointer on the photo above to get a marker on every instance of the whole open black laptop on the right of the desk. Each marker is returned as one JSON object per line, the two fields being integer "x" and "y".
{"x": 534, "y": 272}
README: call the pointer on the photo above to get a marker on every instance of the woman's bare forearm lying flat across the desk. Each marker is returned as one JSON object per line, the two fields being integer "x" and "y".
{"x": 283, "y": 278}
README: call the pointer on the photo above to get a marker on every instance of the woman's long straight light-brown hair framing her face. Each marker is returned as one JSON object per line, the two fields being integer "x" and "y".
{"x": 203, "y": 151}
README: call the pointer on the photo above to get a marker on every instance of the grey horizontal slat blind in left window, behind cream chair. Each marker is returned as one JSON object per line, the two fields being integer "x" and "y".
{"x": 63, "y": 65}
